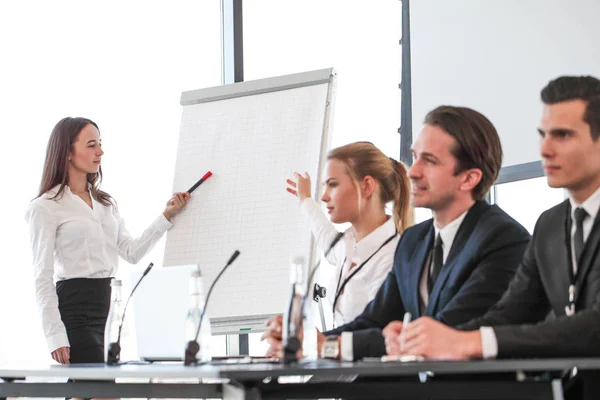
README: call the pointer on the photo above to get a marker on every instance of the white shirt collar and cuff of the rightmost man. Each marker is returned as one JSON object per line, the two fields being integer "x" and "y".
{"x": 489, "y": 343}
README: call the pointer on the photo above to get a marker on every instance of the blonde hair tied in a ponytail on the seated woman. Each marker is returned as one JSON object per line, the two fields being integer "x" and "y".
{"x": 364, "y": 159}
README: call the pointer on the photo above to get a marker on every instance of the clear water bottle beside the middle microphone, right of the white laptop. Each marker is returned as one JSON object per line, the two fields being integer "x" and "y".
{"x": 195, "y": 310}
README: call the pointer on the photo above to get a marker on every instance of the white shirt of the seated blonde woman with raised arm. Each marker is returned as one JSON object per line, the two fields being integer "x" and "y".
{"x": 363, "y": 286}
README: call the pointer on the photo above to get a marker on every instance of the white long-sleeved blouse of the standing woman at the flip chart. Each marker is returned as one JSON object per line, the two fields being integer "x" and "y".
{"x": 71, "y": 240}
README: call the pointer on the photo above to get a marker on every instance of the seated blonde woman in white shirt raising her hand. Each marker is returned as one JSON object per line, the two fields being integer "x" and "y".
{"x": 359, "y": 181}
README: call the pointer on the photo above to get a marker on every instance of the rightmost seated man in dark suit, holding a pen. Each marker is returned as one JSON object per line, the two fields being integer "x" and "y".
{"x": 560, "y": 271}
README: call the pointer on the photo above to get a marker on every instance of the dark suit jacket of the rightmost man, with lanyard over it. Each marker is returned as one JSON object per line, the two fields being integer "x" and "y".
{"x": 540, "y": 286}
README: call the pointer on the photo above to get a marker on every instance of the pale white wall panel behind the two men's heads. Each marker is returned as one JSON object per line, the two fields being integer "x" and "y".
{"x": 495, "y": 56}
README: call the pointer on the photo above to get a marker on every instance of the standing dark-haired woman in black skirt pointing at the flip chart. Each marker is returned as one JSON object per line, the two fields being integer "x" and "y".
{"x": 76, "y": 237}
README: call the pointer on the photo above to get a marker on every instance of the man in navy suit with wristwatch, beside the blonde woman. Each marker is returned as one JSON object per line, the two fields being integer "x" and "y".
{"x": 452, "y": 267}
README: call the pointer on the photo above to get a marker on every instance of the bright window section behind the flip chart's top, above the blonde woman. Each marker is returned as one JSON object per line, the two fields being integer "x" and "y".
{"x": 356, "y": 38}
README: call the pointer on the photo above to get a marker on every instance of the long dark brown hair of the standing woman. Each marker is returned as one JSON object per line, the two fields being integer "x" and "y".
{"x": 56, "y": 166}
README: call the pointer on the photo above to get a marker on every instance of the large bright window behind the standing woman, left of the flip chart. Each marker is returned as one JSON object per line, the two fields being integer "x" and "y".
{"x": 123, "y": 65}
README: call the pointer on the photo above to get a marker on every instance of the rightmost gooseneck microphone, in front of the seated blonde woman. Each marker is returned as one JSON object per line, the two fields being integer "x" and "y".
{"x": 292, "y": 343}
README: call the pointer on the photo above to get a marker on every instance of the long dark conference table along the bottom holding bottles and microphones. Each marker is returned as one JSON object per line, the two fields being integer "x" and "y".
{"x": 491, "y": 379}
